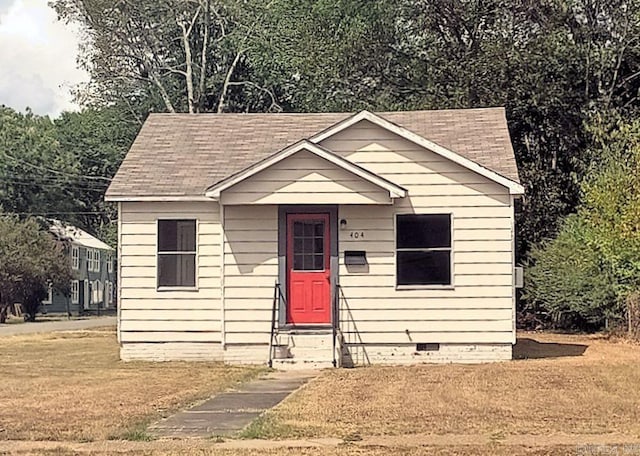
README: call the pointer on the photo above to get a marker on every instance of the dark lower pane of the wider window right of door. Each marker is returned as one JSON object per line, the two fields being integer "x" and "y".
{"x": 424, "y": 268}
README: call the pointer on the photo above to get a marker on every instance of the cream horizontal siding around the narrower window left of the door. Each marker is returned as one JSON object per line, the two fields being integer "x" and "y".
{"x": 149, "y": 316}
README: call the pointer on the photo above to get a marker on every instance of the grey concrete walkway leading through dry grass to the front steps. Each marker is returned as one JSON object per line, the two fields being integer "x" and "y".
{"x": 228, "y": 413}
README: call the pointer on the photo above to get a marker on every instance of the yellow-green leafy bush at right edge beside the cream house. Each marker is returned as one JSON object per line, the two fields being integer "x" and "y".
{"x": 593, "y": 265}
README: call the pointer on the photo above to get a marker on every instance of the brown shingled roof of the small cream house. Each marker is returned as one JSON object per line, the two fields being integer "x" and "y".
{"x": 181, "y": 155}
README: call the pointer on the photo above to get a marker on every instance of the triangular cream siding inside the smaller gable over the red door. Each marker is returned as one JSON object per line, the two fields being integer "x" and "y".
{"x": 311, "y": 180}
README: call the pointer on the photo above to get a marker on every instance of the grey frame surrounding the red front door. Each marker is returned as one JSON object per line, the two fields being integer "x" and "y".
{"x": 283, "y": 211}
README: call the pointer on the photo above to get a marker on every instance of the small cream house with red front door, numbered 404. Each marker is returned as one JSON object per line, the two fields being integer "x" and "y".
{"x": 318, "y": 238}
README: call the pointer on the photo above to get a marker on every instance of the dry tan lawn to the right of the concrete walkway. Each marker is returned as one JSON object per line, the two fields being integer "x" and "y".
{"x": 578, "y": 384}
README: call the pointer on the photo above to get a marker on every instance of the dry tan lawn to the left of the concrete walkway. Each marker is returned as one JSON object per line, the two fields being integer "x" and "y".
{"x": 72, "y": 386}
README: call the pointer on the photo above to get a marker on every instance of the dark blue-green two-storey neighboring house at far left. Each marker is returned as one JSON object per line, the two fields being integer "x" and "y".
{"x": 93, "y": 267}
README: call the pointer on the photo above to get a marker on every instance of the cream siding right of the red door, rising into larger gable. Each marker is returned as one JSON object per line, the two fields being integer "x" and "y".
{"x": 478, "y": 308}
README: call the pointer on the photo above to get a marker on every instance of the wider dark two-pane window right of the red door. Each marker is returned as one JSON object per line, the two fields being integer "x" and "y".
{"x": 423, "y": 244}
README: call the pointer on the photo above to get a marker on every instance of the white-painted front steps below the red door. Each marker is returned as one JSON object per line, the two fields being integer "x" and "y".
{"x": 304, "y": 350}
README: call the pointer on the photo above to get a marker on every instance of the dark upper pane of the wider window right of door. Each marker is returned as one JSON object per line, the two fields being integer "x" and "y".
{"x": 423, "y": 231}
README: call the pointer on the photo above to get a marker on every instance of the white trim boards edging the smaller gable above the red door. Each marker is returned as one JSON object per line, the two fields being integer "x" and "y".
{"x": 395, "y": 191}
